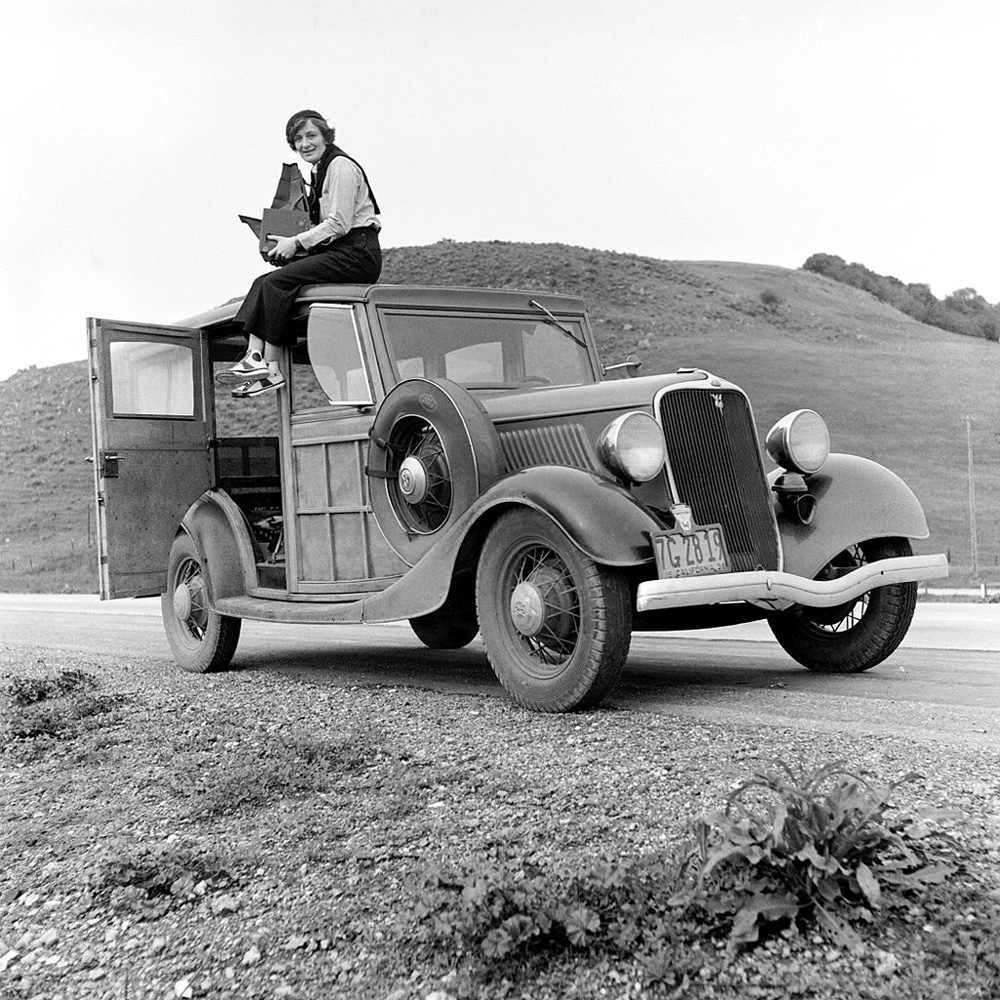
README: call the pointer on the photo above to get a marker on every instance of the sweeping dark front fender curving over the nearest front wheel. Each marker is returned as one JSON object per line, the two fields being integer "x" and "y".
{"x": 601, "y": 518}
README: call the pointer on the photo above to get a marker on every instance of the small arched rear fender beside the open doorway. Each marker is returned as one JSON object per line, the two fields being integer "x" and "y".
{"x": 220, "y": 534}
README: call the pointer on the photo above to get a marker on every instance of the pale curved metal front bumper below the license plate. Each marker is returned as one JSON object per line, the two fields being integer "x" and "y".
{"x": 776, "y": 590}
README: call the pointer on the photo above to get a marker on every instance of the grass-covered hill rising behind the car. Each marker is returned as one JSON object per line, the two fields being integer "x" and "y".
{"x": 890, "y": 388}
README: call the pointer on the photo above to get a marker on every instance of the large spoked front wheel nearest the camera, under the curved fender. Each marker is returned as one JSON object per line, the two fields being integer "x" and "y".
{"x": 555, "y": 624}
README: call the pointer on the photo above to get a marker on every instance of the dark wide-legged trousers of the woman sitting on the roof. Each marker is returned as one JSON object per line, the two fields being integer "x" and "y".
{"x": 355, "y": 258}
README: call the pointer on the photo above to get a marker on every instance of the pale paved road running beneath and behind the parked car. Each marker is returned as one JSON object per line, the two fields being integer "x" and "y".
{"x": 942, "y": 685}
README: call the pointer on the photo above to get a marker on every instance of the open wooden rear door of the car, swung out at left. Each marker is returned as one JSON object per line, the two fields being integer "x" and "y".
{"x": 152, "y": 429}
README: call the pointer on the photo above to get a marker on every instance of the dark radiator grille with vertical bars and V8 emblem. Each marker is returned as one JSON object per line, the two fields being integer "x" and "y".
{"x": 716, "y": 464}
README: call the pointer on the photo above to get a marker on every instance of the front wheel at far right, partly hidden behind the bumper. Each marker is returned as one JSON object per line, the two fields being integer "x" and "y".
{"x": 855, "y": 636}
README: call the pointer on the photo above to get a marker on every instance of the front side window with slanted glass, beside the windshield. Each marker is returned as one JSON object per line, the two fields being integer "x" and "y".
{"x": 336, "y": 372}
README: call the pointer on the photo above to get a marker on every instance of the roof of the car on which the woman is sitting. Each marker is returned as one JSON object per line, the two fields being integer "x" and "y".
{"x": 412, "y": 296}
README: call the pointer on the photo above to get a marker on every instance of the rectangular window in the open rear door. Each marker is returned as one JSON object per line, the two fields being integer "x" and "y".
{"x": 151, "y": 379}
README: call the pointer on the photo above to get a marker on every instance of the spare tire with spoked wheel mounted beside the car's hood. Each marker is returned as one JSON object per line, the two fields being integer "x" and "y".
{"x": 432, "y": 451}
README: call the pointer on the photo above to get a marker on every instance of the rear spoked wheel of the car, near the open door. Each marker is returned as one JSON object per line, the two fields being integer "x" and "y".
{"x": 201, "y": 640}
